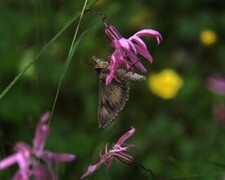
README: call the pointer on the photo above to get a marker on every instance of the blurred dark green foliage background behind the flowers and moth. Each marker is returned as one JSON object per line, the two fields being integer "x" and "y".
{"x": 177, "y": 137}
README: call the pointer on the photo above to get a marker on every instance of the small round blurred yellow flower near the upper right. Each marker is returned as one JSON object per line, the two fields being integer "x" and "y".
{"x": 208, "y": 37}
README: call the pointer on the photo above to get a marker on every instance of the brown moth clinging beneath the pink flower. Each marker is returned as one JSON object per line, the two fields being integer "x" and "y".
{"x": 112, "y": 98}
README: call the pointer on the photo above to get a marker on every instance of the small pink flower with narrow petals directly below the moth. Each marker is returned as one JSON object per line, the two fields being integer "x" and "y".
{"x": 118, "y": 153}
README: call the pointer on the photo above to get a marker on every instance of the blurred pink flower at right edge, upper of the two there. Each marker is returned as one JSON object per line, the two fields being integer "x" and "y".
{"x": 216, "y": 84}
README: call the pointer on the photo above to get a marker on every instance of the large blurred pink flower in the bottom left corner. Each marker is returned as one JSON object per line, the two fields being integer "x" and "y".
{"x": 28, "y": 158}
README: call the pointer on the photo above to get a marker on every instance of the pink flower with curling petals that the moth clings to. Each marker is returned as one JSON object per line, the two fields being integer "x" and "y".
{"x": 127, "y": 50}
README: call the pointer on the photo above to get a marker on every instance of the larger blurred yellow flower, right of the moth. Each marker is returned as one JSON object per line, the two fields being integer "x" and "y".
{"x": 165, "y": 84}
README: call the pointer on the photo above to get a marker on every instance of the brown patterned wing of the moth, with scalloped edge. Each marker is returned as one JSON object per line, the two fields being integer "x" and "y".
{"x": 112, "y": 99}
